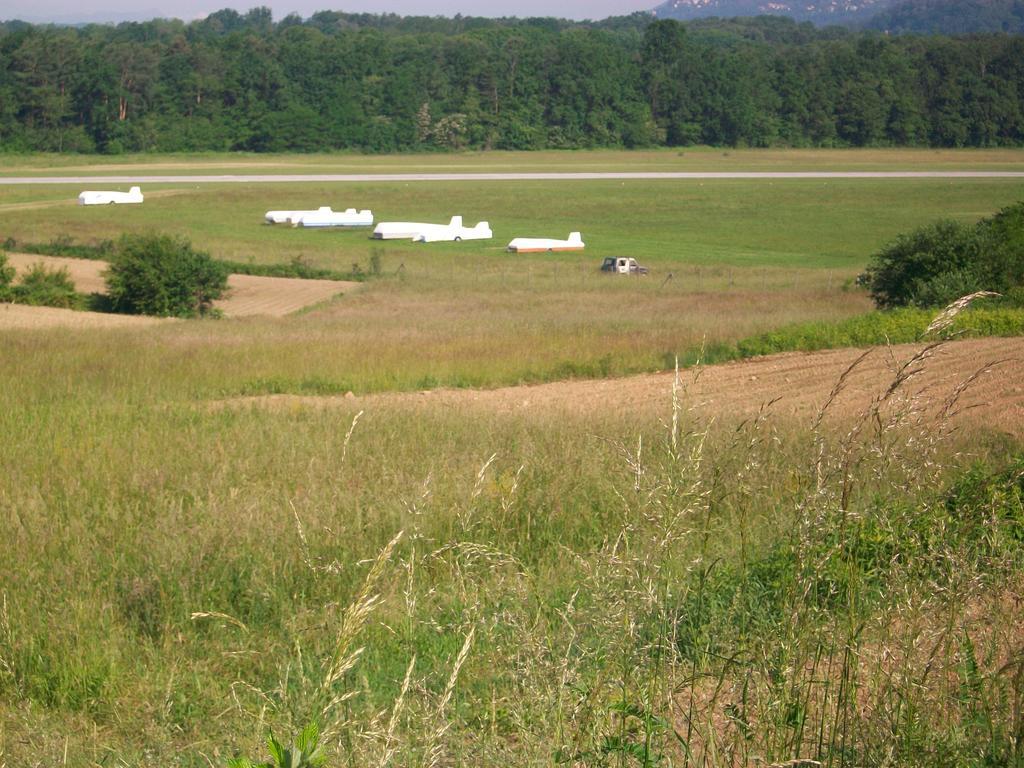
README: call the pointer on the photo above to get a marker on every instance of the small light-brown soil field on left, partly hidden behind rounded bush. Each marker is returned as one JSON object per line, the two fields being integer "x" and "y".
{"x": 249, "y": 295}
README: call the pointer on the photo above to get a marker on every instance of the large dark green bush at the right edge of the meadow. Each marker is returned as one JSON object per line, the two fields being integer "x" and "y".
{"x": 941, "y": 263}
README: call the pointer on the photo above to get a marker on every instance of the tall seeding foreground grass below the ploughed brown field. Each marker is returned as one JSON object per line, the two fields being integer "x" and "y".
{"x": 589, "y": 592}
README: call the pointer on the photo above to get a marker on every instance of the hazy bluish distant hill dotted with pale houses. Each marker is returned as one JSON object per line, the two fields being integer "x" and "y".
{"x": 819, "y": 12}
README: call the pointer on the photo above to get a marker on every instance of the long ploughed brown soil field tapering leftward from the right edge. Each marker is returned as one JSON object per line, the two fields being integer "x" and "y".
{"x": 796, "y": 385}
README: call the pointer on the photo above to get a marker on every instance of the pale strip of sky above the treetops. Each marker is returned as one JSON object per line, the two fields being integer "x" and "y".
{"x": 105, "y": 11}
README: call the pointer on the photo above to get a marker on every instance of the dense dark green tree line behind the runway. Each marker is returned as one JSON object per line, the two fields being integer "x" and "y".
{"x": 339, "y": 81}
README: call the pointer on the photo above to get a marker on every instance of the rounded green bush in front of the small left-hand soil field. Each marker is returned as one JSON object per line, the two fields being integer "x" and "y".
{"x": 164, "y": 276}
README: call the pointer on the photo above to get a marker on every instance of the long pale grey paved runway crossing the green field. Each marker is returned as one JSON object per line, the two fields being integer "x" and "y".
{"x": 385, "y": 178}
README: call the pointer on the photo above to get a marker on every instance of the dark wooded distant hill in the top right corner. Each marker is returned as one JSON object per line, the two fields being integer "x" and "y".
{"x": 952, "y": 17}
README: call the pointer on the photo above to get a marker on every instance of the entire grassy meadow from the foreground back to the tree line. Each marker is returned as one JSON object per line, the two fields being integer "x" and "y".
{"x": 440, "y": 587}
